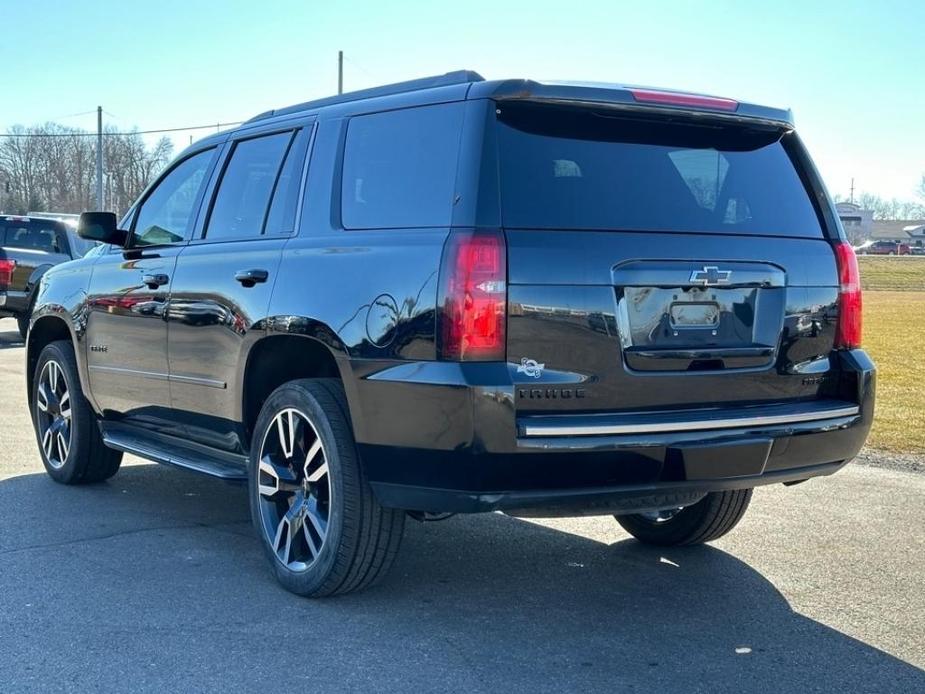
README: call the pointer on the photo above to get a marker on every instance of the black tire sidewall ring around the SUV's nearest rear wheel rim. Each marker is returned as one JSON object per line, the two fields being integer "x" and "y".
{"x": 288, "y": 396}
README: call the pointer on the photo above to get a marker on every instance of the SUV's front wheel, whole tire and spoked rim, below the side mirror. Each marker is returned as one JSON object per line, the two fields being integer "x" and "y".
{"x": 66, "y": 429}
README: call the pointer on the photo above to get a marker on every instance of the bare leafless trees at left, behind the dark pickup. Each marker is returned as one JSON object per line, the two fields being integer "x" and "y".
{"x": 52, "y": 168}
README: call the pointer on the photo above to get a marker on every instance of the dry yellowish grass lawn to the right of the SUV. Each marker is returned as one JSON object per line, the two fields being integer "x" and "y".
{"x": 894, "y": 336}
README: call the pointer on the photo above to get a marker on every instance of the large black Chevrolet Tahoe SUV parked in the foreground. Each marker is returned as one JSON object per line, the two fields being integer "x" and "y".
{"x": 455, "y": 295}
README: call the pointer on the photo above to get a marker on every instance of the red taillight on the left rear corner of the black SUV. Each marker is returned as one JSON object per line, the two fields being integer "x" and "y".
{"x": 473, "y": 296}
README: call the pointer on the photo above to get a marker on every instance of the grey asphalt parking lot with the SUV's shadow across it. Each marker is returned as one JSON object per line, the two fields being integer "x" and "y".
{"x": 154, "y": 582}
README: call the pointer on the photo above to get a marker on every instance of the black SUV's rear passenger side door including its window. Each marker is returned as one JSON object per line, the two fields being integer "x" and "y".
{"x": 224, "y": 278}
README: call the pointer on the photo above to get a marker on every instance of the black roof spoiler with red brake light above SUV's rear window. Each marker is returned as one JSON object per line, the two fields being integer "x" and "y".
{"x": 632, "y": 98}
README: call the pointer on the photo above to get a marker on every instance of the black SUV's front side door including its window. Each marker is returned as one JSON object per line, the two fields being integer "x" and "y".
{"x": 126, "y": 330}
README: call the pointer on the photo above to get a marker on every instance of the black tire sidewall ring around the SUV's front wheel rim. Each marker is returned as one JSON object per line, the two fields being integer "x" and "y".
{"x": 70, "y": 471}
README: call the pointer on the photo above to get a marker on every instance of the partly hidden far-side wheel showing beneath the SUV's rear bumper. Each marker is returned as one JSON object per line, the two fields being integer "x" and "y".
{"x": 710, "y": 518}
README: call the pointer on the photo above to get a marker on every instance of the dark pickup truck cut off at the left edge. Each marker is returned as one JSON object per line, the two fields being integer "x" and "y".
{"x": 29, "y": 247}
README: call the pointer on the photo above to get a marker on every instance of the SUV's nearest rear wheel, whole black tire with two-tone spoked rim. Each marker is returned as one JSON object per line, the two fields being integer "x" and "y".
{"x": 318, "y": 521}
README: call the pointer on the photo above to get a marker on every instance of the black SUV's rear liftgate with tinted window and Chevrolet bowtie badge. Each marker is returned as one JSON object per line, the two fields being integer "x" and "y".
{"x": 660, "y": 263}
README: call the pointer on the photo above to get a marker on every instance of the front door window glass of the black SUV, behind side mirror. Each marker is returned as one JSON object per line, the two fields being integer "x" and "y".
{"x": 168, "y": 212}
